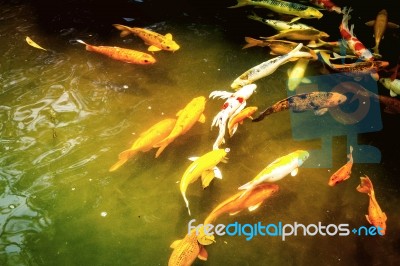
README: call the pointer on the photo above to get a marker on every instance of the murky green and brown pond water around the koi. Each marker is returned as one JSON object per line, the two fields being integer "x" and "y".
{"x": 67, "y": 113}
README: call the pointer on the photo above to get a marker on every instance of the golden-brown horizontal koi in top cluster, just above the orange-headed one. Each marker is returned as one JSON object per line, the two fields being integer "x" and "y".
{"x": 299, "y": 35}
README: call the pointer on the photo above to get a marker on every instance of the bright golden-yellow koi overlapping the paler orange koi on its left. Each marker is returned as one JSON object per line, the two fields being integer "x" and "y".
{"x": 187, "y": 117}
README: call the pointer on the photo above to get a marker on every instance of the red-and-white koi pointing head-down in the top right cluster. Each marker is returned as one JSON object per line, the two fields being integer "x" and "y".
{"x": 351, "y": 40}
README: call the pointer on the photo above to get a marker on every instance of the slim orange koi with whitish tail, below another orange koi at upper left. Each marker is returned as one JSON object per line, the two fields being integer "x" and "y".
{"x": 121, "y": 54}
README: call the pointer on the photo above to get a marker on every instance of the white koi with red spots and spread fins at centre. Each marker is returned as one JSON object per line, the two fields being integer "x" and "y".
{"x": 235, "y": 102}
